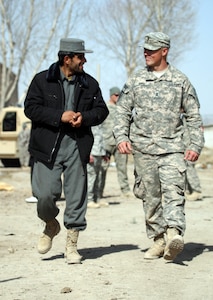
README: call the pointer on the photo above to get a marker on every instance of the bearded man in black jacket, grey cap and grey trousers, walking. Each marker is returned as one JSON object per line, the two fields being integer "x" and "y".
{"x": 63, "y": 103}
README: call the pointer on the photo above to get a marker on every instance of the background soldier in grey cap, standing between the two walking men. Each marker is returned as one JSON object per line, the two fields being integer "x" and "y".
{"x": 111, "y": 149}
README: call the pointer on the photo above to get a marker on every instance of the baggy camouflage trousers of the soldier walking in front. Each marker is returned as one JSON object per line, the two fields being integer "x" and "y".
{"x": 160, "y": 183}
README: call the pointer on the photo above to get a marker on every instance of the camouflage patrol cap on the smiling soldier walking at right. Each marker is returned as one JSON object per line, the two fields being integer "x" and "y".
{"x": 156, "y": 40}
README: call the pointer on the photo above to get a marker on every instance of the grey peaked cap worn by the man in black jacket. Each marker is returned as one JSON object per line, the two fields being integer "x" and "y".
{"x": 72, "y": 45}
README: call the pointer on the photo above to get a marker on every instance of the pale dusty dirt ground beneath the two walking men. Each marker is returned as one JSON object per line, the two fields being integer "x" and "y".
{"x": 113, "y": 247}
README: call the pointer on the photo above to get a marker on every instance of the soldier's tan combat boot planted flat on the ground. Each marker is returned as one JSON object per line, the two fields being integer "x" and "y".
{"x": 157, "y": 248}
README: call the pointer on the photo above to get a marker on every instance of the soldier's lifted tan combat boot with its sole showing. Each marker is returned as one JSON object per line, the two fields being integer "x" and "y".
{"x": 174, "y": 244}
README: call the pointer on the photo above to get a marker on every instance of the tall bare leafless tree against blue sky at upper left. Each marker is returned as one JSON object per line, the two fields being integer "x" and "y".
{"x": 29, "y": 31}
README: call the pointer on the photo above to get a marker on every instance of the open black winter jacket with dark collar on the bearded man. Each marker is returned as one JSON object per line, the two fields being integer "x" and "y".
{"x": 44, "y": 105}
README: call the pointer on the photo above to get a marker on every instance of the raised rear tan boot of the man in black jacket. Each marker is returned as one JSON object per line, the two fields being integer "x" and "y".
{"x": 52, "y": 228}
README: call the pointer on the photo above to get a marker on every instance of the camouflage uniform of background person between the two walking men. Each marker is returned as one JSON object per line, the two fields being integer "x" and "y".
{"x": 110, "y": 146}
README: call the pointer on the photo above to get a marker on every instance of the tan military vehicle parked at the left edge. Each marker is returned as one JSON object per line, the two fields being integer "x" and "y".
{"x": 11, "y": 124}
